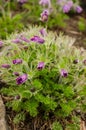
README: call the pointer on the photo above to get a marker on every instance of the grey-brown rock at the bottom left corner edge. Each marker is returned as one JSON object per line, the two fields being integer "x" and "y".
{"x": 2, "y": 116}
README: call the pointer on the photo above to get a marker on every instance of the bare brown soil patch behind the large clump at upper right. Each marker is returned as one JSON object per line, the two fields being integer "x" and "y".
{"x": 73, "y": 31}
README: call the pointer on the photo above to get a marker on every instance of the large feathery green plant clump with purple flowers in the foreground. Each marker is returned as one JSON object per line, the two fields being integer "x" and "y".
{"x": 44, "y": 74}
